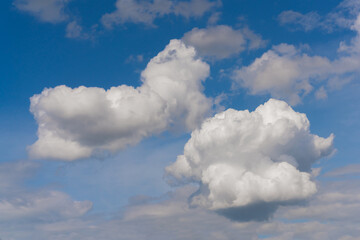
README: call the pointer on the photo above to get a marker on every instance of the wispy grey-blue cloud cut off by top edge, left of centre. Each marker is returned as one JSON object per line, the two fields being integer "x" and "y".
{"x": 147, "y": 11}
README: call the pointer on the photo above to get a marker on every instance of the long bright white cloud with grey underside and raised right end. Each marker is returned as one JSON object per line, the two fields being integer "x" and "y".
{"x": 77, "y": 123}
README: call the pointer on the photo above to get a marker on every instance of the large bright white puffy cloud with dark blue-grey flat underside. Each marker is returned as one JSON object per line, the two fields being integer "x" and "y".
{"x": 255, "y": 160}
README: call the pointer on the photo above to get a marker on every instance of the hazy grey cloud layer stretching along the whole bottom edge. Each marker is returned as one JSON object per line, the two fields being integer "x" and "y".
{"x": 172, "y": 218}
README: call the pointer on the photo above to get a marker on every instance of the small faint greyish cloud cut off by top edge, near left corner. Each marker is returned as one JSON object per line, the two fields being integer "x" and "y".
{"x": 51, "y": 11}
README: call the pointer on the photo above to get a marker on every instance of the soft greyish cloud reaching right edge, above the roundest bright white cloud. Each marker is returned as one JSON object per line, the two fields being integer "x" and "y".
{"x": 288, "y": 73}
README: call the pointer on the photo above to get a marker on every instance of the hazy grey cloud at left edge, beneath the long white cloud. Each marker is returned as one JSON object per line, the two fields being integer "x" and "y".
{"x": 18, "y": 204}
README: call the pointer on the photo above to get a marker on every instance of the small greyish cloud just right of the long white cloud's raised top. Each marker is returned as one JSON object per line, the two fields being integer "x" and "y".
{"x": 222, "y": 41}
